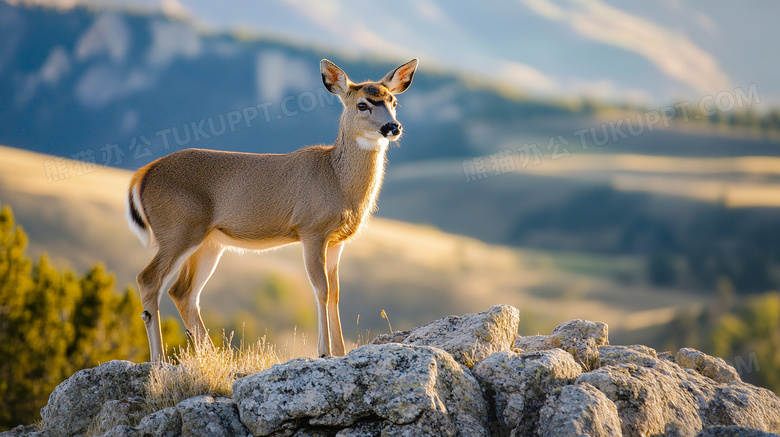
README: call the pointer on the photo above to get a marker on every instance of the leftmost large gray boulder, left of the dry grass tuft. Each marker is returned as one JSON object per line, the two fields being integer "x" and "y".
{"x": 76, "y": 402}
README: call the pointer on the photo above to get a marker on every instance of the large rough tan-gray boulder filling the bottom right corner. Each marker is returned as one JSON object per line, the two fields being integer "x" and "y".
{"x": 656, "y": 396}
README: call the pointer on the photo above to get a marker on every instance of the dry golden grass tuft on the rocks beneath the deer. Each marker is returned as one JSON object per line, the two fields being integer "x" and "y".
{"x": 205, "y": 370}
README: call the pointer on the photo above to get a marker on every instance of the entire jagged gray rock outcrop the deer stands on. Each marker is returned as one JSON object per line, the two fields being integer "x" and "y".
{"x": 458, "y": 376}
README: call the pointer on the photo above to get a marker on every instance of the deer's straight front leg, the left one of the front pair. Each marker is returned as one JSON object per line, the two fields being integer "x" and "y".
{"x": 314, "y": 258}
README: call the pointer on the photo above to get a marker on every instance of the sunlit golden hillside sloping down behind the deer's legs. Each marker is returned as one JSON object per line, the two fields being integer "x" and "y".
{"x": 413, "y": 272}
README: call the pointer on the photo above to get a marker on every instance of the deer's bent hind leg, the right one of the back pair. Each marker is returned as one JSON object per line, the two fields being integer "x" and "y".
{"x": 185, "y": 292}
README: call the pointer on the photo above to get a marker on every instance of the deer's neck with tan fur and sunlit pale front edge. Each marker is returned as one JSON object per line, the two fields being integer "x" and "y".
{"x": 360, "y": 169}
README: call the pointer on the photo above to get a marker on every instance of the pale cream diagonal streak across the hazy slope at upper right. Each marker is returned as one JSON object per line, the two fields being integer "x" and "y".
{"x": 672, "y": 53}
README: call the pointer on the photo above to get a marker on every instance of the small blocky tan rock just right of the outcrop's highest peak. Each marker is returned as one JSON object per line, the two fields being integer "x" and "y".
{"x": 580, "y": 338}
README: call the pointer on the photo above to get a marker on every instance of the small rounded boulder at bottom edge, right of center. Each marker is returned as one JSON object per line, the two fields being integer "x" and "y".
{"x": 579, "y": 410}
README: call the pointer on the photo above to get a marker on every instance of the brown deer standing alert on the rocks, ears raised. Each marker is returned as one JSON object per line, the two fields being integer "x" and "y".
{"x": 193, "y": 204}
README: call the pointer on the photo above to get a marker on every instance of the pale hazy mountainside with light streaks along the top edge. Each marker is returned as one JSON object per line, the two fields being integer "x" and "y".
{"x": 649, "y": 53}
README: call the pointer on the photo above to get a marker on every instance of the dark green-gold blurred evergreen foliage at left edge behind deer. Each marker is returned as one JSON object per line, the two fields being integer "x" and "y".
{"x": 53, "y": 324}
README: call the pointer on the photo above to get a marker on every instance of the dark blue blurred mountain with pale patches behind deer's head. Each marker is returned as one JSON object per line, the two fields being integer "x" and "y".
{"x": 122, "y": 89}
